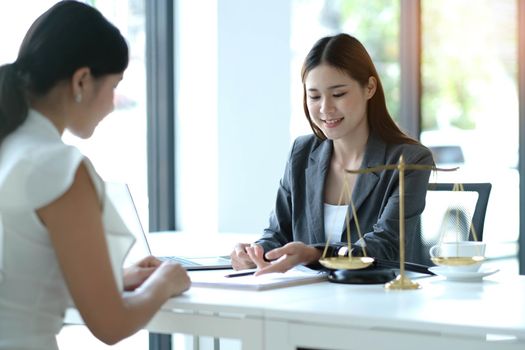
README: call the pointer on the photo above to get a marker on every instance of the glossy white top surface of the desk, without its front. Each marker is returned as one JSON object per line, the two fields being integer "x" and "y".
{"x": 495, "y": 305}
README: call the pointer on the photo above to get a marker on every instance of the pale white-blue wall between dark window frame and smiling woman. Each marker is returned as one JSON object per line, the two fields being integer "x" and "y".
{"x": 233, "y": 109}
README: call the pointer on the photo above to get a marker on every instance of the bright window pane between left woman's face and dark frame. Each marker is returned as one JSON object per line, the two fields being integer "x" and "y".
{"x": 118, "y": 148}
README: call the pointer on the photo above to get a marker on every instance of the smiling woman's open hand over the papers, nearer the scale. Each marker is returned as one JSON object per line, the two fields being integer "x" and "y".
{"x": 284, "y": 258}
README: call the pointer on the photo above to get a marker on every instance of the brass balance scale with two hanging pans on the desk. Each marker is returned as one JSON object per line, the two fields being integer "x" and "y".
{"x": 401, "y": 282}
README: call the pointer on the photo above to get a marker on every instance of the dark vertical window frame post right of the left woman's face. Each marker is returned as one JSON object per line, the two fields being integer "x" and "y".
{"x": 160, "y": 62}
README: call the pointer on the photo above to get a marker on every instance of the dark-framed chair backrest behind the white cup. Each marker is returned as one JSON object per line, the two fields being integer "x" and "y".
{"x": 448, "y": 216}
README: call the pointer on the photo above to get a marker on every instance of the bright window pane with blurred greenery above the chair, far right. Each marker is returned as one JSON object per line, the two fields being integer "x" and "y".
{"x": 470, "y": 103}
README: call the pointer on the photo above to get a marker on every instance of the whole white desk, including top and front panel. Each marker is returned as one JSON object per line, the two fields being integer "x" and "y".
{"x": 441, "y": 315}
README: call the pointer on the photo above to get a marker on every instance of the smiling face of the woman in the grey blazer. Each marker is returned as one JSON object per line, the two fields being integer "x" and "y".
{"x": 337, "y": 104}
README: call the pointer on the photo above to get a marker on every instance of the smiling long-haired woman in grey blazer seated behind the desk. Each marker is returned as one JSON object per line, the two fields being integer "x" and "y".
{"x": 345, "y": 105}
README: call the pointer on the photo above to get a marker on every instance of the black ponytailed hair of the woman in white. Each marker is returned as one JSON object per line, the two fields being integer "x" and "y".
{"x": 68, "y": 36}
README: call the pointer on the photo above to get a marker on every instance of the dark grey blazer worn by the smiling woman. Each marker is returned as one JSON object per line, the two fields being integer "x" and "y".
{"x": 298, "y": 214}
